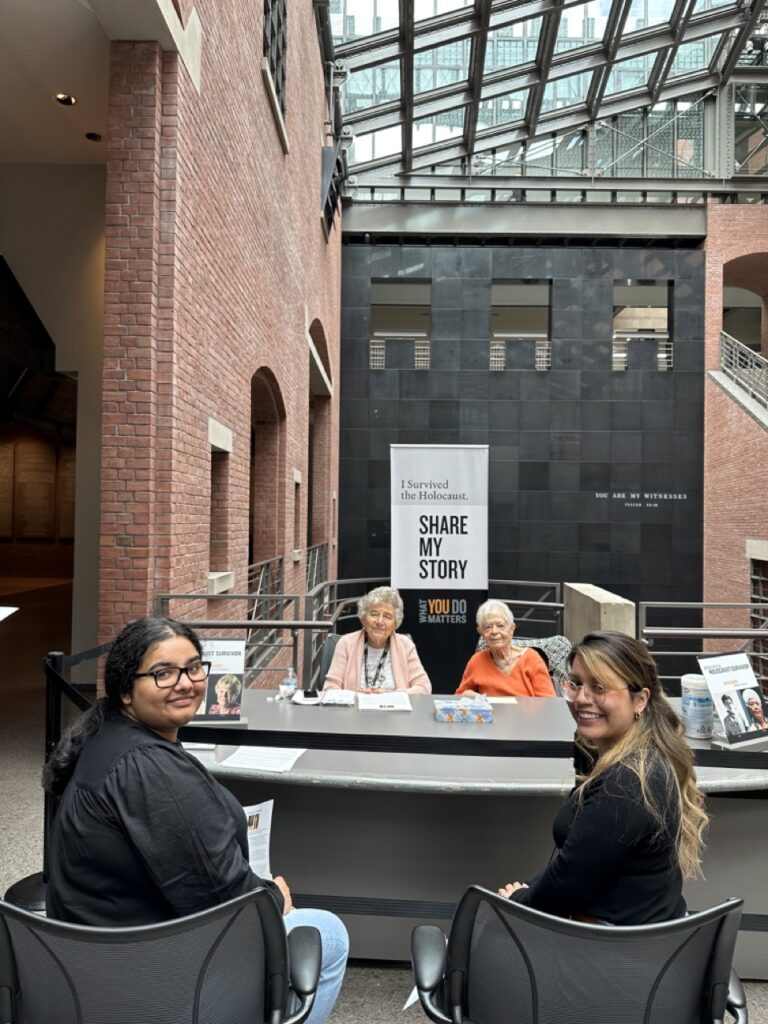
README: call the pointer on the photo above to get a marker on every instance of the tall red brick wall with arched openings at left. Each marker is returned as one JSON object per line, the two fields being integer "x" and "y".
{"x": 217, "y": 262}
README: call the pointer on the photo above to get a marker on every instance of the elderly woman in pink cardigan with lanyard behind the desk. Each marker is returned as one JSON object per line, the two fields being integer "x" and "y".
{"x": 376, "y": 658}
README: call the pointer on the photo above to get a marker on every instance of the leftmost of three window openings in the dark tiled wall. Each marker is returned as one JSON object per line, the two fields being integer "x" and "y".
{"x": 400, "y": 336}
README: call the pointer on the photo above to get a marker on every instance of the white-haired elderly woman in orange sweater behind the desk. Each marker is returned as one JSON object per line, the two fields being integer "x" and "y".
{"x": 504, "y": 670}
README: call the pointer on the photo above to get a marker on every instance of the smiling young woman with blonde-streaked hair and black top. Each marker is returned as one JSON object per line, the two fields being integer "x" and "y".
{"x": 632, "y": 830}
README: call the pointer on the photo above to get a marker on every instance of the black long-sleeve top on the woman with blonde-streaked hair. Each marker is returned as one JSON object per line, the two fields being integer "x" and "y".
{"x": 611, "y": 862}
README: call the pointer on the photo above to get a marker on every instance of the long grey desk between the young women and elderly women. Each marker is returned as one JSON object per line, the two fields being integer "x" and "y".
{"x": 389, "y": 817}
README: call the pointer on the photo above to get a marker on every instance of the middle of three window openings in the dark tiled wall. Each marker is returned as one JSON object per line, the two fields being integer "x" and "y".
{"x": 521, "y": 325}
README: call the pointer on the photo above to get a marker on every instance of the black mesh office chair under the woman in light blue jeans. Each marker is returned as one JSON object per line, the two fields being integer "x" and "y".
{"x": 229, "y": 965}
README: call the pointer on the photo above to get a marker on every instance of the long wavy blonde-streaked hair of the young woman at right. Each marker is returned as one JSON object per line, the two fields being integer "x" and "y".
{"x": 656, "y": 740}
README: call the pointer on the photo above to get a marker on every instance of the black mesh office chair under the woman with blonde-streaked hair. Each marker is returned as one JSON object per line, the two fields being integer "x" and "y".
{"x": 507, "y": 964}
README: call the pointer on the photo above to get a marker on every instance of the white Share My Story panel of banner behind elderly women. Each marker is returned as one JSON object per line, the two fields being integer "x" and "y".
{"x": 440, "y": 528}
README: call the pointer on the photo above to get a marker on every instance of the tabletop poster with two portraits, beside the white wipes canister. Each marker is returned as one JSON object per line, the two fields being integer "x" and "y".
{"x": 737, "y": 697}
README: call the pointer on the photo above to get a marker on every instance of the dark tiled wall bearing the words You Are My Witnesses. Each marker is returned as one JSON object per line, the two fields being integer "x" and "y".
{"x": 565, "y": 445}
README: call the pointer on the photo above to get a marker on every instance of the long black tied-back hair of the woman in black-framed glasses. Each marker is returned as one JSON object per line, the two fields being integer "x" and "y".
{"x": 122, "y": 664}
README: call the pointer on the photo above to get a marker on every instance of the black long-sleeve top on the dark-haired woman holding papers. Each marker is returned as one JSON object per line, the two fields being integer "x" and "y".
{"x": 145, "y": 834}
